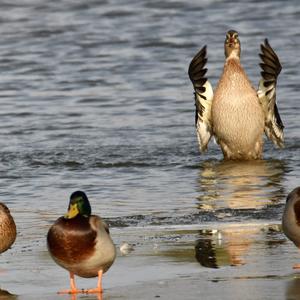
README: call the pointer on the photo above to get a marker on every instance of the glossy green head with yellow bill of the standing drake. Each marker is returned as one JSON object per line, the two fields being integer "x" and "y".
{"x": 79, "y": 205}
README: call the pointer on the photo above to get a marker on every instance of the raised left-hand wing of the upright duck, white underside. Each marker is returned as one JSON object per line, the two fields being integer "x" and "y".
{"x": 203, "y": 98}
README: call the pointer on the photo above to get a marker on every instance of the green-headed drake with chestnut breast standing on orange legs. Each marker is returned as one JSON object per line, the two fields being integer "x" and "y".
{"x": 80, "y": 242}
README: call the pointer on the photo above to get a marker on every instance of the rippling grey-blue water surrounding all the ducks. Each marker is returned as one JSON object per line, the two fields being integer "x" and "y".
{"x": 95, "y": 96}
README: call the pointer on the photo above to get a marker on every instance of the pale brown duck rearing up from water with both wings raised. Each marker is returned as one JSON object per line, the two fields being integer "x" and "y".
{"x": 235, "y": 113}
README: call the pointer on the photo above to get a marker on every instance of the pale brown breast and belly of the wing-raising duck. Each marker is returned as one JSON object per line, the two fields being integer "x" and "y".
{"x": 240, "y": 135}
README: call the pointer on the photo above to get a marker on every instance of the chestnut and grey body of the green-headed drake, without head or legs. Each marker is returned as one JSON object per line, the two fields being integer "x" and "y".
{"x": 81, "y": 245}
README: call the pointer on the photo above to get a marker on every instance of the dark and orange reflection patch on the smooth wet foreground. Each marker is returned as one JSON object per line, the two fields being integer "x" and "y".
{"x": 225, "y": 247}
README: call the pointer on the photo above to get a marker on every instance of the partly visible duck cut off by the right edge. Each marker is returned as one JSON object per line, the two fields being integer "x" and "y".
{"x": 291, "y": 218}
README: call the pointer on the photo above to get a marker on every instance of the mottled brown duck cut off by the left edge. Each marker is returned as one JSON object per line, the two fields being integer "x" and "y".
{"x": 8, "y": 231}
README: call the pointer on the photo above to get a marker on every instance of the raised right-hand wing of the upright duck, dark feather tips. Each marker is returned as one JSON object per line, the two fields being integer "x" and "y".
{"x": 266, "y": 92}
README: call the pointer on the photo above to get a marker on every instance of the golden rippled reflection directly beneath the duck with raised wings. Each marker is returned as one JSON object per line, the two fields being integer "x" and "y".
{"x": 238, "y": 185}
